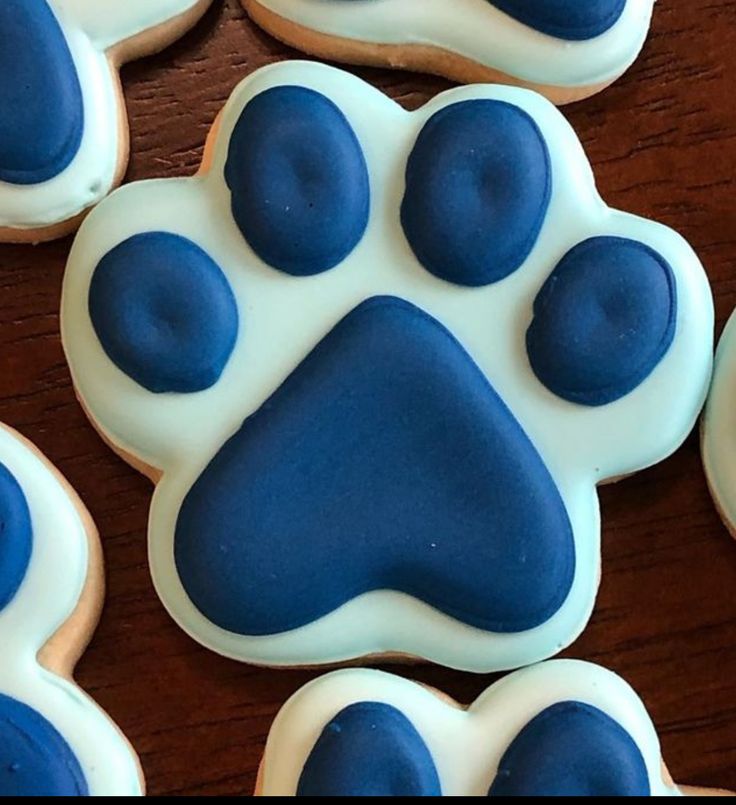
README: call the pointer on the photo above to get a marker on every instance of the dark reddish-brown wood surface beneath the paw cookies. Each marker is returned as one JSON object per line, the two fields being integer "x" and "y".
{"x": 663, "y": 144}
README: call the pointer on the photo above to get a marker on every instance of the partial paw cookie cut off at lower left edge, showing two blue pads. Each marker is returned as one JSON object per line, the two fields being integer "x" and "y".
{"x": 54, "y": 740}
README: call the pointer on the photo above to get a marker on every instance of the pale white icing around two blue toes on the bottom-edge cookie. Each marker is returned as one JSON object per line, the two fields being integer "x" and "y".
{"x": 466, "y": 745}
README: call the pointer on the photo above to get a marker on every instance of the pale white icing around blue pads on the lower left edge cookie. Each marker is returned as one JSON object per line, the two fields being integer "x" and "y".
{"x": 47, "y": 597}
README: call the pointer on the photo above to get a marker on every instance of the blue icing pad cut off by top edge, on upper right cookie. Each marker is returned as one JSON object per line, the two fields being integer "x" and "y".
{"x": 565, "y": 19}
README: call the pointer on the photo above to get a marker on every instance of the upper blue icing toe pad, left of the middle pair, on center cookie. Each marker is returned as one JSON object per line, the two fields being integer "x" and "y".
{"x": 299, "y": 182}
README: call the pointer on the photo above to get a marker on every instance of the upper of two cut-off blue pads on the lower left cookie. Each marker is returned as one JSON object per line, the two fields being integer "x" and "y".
{"x": 16, "y": 536}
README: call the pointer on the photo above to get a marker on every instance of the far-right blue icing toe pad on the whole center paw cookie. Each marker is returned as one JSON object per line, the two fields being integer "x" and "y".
{"x": 603, "y": 320}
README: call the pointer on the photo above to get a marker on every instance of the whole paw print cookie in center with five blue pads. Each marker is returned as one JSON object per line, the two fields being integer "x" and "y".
{"x": 376, "y": 363}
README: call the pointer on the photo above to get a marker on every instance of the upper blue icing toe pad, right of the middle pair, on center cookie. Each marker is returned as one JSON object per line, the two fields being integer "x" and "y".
{"x": 478, "y": 185}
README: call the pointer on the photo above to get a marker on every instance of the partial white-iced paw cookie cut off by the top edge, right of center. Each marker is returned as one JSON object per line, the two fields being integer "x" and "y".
{"x": 566, "y": 49}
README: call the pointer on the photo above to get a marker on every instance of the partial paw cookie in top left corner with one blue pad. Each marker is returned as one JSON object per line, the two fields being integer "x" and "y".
{"x": 63, "y": 132}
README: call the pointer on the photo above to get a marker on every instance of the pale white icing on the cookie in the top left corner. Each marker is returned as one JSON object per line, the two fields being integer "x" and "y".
{"x": 89, "y": 30}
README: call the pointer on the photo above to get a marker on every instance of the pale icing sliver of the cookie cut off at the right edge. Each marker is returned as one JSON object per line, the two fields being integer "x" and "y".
{"x": 719, "y": 427}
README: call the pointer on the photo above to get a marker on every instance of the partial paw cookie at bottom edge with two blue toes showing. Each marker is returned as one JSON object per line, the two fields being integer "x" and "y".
{"x": 562, "y": 728}
